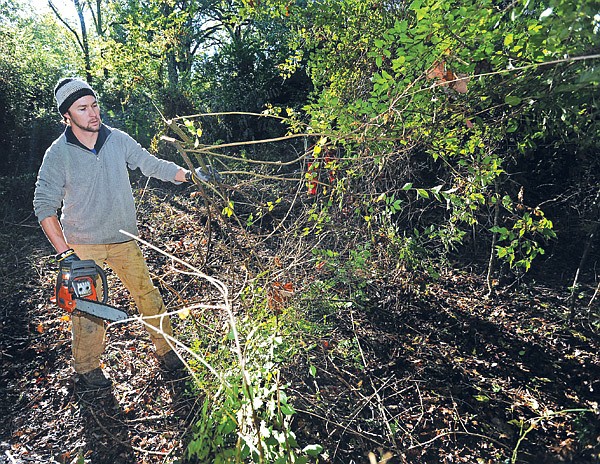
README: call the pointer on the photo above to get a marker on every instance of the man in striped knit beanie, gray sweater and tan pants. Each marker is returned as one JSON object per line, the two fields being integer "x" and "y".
{"x": 85, "y": 172}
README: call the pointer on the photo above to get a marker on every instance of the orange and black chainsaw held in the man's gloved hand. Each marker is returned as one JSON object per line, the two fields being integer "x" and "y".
{"x": 76, "y": 291}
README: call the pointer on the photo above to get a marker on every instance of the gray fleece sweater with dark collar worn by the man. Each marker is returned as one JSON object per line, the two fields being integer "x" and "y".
{"x": 94, "y": 190}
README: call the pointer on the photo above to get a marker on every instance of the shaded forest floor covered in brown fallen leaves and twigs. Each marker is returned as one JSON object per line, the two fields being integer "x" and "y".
{"x": 424, "y": 373}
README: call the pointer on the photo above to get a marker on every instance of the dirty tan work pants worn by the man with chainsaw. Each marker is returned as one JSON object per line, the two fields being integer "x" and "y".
{"x": 127, "y": 261}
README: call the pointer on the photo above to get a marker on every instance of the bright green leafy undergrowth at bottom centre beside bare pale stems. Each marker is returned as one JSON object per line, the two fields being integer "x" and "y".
{"x": 250, "y": 420}
